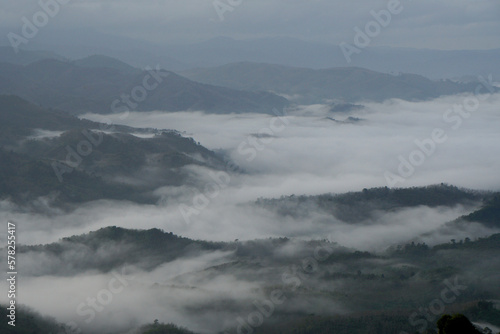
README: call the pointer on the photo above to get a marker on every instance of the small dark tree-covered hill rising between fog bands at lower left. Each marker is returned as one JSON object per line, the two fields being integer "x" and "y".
{"x": 156, "y": 245}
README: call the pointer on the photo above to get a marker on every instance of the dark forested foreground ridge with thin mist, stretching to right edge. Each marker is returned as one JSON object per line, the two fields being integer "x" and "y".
{"x": 343, "y": 289}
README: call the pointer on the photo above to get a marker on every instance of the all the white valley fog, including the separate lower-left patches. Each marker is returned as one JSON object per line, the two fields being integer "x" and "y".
{"x": 302, "y": 152}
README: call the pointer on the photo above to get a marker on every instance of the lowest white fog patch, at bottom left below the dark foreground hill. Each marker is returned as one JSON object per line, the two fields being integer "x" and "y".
{"x": 139, "y": 297}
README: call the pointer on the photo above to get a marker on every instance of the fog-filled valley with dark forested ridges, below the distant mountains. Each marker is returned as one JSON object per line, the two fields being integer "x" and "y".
{"x": 298, "y": 203}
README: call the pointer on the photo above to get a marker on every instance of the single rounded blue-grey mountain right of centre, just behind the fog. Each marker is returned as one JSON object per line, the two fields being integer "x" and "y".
{"x": 314, "y": 86}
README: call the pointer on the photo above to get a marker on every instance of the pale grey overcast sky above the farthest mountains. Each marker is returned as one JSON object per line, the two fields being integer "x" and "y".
{"x": 437, "y": 24}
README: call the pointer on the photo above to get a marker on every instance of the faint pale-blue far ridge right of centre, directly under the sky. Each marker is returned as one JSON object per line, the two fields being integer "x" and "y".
{"x": 435, "y": 64}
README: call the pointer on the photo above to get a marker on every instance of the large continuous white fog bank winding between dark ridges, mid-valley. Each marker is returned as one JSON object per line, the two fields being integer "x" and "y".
{"x": 303, "y": 153}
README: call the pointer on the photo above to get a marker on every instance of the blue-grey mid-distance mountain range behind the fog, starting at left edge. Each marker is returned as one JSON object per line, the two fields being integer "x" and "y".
{"x": 103, "y": 84}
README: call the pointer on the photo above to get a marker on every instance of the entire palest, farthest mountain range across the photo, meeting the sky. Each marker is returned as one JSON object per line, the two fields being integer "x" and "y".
{"x": 435, "y": 64}
